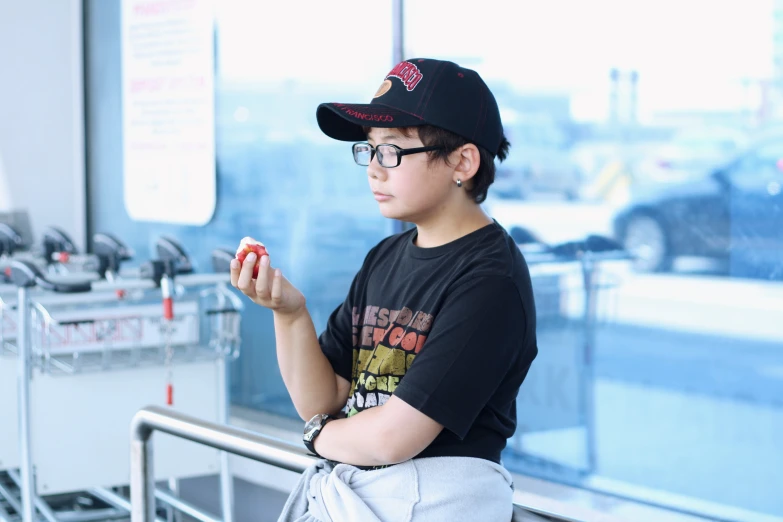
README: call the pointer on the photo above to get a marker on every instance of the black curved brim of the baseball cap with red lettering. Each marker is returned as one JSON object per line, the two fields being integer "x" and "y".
{"x": 344, "y": 121}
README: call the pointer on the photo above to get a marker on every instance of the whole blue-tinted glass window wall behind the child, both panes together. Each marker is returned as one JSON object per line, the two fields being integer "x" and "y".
{"x": 658, "y": 378}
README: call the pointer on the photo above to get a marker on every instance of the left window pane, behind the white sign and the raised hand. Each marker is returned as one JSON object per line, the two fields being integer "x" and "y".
{"x": 279, "y": 179}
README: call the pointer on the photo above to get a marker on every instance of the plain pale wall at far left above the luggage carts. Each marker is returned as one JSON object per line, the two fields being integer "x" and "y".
{"x": 41, "y": 114}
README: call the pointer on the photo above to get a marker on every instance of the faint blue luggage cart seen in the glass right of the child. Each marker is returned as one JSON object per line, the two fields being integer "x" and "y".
{"x": 573, "y": 286}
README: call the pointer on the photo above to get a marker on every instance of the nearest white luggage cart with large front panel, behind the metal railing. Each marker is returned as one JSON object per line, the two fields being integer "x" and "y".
{"x": 113, "y": 360}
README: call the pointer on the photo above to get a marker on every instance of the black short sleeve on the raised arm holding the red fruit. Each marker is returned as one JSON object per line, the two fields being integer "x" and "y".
{"x": 337, "y": 338}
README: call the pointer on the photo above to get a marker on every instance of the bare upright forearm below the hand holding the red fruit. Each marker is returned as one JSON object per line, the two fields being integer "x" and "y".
{"x": 307, "y": 373}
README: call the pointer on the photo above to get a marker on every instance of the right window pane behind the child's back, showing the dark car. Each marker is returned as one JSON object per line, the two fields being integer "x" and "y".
{"x": 660, "y": 380}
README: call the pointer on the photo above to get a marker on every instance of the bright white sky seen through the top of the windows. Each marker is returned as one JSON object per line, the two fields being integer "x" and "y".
{"x": 690, "y": 54}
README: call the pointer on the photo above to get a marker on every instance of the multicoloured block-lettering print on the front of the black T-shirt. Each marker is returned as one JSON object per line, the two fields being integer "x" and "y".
{"x": 385, "y": 343}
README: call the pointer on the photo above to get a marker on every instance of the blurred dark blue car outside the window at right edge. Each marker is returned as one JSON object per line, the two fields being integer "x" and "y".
{"x": 730, "y": 213}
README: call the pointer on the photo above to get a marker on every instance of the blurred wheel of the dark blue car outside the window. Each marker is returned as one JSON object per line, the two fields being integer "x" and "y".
{"x": 646, "y": 240}
